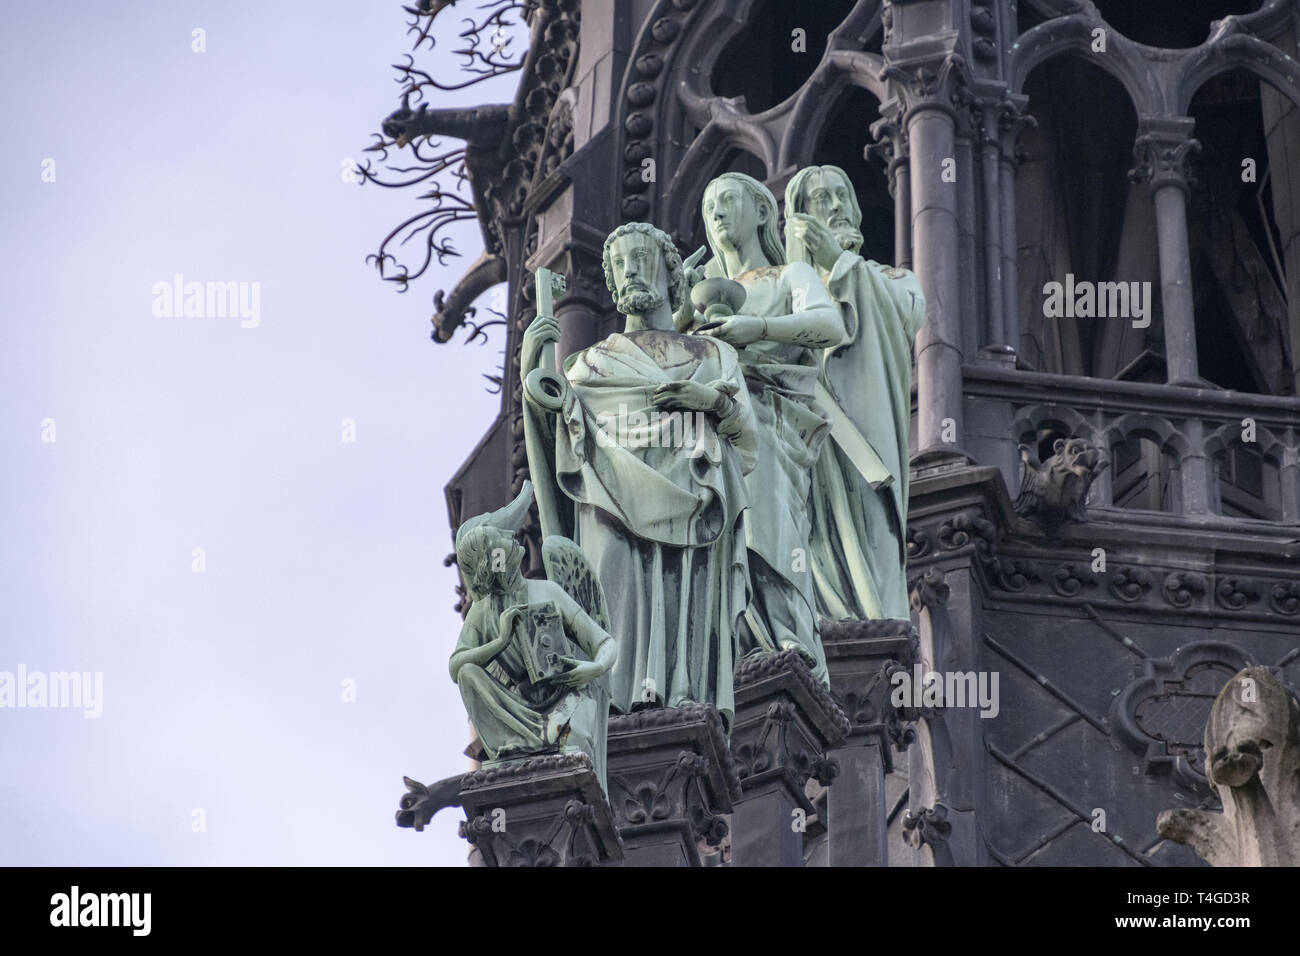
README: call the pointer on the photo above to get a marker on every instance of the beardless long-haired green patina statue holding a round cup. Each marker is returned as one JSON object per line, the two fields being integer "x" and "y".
{"x": 787, "y": 321}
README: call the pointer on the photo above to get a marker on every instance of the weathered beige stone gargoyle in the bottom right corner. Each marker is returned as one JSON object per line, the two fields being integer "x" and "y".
{"x": 1253, "y": 759}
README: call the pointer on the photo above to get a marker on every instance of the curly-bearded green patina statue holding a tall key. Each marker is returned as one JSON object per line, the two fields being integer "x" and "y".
{"x": 640, "y": 451}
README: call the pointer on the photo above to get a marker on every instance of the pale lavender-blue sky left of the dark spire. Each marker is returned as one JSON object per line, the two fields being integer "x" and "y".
{"x": 223, "y": 691}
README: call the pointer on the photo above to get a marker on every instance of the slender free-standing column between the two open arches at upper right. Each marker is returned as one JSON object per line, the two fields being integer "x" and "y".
{"x": 1162, "y": 159}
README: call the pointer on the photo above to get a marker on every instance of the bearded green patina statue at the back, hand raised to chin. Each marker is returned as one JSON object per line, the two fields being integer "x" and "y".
{"x": 860, "y": 482}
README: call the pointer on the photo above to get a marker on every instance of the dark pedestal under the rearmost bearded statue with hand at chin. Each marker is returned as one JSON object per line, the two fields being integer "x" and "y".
{"x": 861, "y": 656}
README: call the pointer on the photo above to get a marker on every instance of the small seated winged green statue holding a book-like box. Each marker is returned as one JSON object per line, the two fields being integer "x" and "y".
{"x": 532, "y": 656}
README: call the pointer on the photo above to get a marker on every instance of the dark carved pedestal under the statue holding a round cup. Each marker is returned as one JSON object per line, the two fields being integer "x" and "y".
{"x": 786, "y": 724}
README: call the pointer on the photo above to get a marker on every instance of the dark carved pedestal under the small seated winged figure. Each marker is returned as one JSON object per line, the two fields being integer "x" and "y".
{"x": 539, "y": 812}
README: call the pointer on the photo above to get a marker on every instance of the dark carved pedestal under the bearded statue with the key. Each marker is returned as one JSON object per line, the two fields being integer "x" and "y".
{"x": 671, "y": 782}
